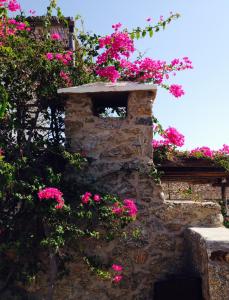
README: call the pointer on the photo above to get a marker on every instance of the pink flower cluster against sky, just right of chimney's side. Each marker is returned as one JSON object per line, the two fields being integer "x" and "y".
{"x": 171, "y": 137}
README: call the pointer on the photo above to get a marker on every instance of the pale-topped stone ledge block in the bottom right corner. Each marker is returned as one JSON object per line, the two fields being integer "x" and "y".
{"x": 209, "y": 257}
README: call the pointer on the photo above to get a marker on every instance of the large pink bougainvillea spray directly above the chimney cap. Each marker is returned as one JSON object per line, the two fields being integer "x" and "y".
{"x": 113, "y": 63}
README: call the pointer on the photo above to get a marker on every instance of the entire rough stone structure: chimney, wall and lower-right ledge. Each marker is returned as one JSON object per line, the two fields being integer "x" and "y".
{"x": 112, "y": 125}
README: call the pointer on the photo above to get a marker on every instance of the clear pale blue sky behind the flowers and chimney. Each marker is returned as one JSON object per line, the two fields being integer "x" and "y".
{"x": 202, "y": 34}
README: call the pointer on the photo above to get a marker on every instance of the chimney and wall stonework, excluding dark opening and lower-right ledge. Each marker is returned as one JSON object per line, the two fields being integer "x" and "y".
{"x": 119, "y": 152}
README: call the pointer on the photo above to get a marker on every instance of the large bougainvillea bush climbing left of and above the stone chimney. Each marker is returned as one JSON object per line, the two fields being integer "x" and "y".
{"x": 40, "y": 213}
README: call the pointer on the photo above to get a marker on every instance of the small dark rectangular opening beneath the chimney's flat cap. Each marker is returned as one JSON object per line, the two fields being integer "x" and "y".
{"x": 110, "y": 104}
